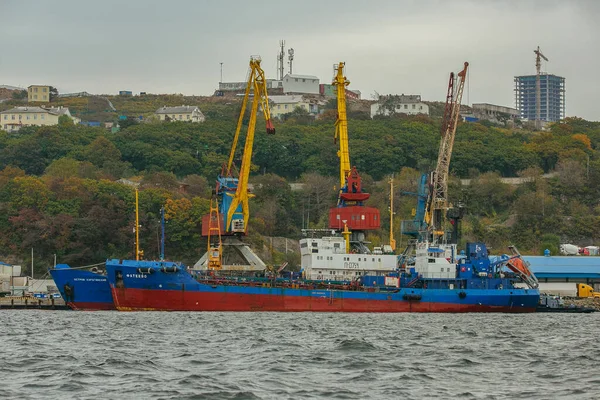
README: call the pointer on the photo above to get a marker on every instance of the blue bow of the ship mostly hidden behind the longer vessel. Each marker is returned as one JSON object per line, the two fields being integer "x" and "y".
{"x": 83, "y": 289}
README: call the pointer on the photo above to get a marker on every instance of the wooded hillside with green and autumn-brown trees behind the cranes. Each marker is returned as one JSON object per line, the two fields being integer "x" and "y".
{"x": 59, "y": 191}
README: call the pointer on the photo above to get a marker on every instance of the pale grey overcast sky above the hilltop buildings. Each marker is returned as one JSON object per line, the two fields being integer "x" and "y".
{"x": 389, "y": 46}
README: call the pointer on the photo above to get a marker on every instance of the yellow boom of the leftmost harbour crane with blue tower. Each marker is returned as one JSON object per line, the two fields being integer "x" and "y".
{"x": 258, "y": 83}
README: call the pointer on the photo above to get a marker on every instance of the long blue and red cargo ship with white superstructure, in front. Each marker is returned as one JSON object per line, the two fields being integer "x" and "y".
{"x": 334, "y": 280}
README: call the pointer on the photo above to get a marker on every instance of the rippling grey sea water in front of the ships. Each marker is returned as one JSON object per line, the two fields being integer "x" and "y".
{"x": 91, "y": 355}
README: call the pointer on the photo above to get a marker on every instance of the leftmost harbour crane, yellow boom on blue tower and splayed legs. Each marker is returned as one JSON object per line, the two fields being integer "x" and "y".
{"x": 231, "y": 192}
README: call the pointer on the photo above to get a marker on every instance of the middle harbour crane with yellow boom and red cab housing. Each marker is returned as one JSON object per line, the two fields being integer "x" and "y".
{"x": 350, "y": 211}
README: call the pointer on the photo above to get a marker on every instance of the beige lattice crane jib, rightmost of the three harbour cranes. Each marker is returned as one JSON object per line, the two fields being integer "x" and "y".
{"x": 437, "y": 201}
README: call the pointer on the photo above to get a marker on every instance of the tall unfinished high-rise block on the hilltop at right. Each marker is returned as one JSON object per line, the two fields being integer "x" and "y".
{"x": 552, "y": 97}
